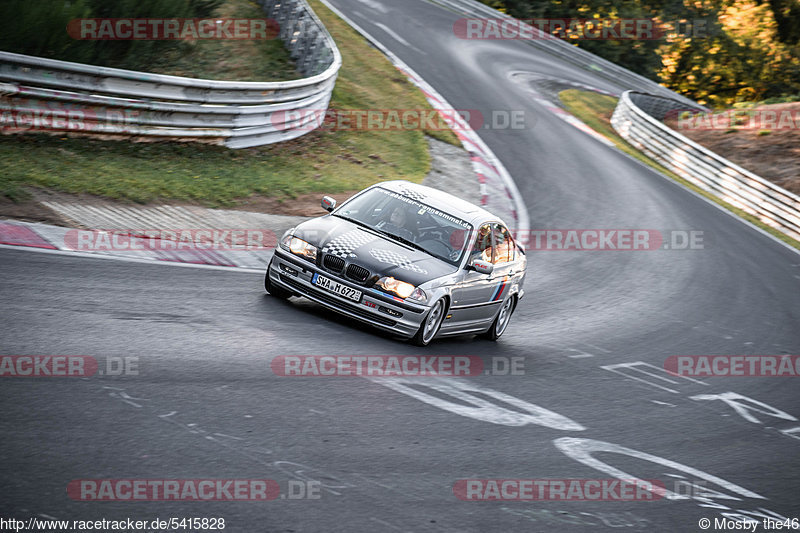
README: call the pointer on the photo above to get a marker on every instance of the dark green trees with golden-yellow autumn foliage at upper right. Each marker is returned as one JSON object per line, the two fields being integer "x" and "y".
{"x": 750, "y": 49}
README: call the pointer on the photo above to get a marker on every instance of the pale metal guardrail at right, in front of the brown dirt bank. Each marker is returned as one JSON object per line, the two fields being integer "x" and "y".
{"x": 637, "y": 119}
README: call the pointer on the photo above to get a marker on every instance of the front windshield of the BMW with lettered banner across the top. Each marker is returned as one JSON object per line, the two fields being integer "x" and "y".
{"x": 410, "y": 222}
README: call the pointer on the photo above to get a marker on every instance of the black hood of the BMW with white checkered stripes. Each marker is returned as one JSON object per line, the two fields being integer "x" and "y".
{"x": 380, "y": 255}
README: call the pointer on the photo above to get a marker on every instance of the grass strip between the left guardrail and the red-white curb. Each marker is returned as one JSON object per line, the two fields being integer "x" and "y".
{"x": 322, "y": 161}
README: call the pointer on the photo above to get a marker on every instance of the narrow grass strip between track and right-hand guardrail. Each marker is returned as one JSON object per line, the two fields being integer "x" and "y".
{"x": 596, "y": 109}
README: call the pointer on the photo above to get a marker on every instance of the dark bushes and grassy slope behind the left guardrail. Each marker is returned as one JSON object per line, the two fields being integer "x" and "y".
{"x": 47, "y": 28}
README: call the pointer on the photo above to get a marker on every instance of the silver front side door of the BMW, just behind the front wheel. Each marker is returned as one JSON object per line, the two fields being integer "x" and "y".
{"x": 473, "y": 297}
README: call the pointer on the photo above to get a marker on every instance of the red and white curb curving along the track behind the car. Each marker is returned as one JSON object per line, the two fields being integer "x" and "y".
{"x": 499, "y": 193}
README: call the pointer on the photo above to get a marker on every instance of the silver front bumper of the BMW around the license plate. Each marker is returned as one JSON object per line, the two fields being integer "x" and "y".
{"x": 374, "y": 308}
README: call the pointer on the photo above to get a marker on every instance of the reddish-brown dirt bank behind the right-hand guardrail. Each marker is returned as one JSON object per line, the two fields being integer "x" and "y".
{"x": 774, "y": 156}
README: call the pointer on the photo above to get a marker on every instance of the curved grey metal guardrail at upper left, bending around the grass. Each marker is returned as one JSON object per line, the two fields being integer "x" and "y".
{"x": 49, "y": 95}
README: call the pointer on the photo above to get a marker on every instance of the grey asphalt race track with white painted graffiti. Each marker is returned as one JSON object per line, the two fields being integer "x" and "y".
{"x": 385, "y": 454}
